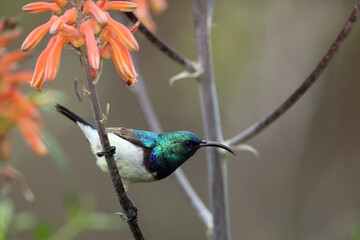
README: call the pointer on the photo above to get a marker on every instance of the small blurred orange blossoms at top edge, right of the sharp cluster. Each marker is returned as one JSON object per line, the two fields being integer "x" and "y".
{"x": 143, "y": 11}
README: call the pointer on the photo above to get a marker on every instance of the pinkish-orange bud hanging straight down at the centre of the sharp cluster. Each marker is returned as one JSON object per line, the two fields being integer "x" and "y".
{"x": 87, "y": 29}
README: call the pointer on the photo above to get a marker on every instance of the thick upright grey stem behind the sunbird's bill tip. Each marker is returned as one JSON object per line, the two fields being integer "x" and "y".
{"x": 211, "y": 119}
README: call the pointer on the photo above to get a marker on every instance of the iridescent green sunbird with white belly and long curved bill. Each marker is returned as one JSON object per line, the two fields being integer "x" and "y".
{"x": 142, "y": 156}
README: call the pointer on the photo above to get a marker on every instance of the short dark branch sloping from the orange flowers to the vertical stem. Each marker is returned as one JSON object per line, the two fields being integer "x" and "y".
{"x": 160, "y": 44}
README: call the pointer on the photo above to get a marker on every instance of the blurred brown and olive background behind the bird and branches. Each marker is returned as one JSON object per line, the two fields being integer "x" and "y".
{"x": 304, "y": 185}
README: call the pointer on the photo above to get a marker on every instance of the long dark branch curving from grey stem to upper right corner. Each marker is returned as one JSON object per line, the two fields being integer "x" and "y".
{"x": 260, "y": 125}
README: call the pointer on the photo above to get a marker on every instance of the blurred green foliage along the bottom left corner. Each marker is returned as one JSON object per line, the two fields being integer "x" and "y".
{"x": 81, "y": 217}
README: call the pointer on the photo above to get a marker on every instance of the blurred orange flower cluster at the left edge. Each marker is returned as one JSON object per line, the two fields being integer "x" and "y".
{"x": 16, "y": 109}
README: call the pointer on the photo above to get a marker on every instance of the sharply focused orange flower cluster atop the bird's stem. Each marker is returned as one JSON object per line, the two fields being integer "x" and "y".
{"x": 82, "y": 23}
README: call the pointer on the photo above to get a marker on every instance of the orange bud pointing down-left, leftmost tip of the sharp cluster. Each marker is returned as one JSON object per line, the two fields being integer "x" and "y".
{"x": 37, "y": 34}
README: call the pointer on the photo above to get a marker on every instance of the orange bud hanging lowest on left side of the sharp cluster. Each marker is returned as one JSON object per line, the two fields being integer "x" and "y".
{"x": 53, "y": 62}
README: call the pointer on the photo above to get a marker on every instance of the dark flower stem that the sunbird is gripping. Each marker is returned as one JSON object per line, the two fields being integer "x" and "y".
{"x": 130, "y": 211}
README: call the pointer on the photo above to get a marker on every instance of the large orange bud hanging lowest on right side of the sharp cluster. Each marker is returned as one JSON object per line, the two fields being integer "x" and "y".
{"x": 121, "y": 57}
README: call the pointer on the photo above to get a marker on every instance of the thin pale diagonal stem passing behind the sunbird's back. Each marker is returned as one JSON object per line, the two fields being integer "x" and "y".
{"x": 154, "y": 125}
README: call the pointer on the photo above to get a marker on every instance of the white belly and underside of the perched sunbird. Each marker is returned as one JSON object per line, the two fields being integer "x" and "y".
{"x": 128, "y": 157}
